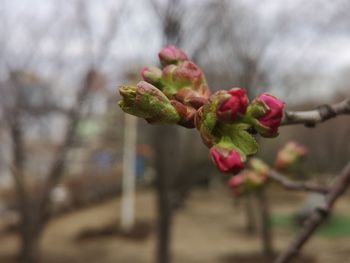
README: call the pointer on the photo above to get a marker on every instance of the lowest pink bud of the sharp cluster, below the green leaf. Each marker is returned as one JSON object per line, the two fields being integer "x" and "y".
{"x": 227, "y": 161}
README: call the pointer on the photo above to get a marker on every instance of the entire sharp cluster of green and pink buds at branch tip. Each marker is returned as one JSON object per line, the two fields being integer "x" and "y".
{"x": 178, "y": 93}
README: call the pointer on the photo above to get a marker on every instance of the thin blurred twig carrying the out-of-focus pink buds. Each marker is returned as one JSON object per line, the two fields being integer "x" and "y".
{"x": 298, "y": 186}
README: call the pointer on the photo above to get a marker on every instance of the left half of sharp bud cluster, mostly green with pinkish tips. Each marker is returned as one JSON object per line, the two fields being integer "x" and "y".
{"x": 174, "y": 92}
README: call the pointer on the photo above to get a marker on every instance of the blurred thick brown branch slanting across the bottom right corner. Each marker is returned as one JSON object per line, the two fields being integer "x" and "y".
{"x": 318, "y": 216}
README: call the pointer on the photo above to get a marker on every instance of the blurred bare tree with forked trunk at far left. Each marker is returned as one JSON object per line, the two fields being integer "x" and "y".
{"x": 34, "y": 204}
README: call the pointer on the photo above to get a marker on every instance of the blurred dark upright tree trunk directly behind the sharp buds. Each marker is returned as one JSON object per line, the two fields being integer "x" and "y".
{"x": 166, "y": 154}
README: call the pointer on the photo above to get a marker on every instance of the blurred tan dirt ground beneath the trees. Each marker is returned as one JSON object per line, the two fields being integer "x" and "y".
{"x": 207, "y": 230}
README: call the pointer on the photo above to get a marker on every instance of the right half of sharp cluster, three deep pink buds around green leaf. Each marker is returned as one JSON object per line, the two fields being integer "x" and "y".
{"x": 226, "y": 121}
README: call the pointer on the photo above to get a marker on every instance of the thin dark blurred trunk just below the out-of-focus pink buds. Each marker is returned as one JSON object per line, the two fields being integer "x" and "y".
{"x": 265, "y": 227}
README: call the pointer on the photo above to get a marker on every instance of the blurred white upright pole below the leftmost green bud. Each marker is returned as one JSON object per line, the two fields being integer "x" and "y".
{"x": 128, "y": 185}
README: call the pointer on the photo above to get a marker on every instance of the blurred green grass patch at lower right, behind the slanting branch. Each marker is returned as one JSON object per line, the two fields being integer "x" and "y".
{"x": 336, "y": 226}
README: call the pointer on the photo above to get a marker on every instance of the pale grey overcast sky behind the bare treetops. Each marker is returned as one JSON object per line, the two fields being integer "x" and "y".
{"x": 315, "y": 40}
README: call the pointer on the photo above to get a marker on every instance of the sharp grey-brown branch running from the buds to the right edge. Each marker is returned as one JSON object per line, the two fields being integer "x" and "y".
{"x": 320, "y": 114}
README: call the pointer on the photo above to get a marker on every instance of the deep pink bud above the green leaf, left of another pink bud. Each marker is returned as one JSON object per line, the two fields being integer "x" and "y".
{"x": 229, "y": 110}
